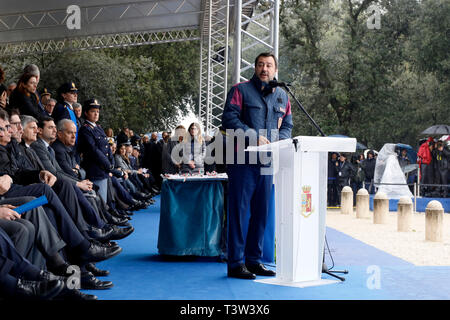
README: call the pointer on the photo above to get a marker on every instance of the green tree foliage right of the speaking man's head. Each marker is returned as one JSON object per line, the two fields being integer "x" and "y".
{"x": 378, "y": 85}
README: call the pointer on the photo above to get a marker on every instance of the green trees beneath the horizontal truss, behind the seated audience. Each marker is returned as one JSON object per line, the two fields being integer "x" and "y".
{"x": 145, "y": 87}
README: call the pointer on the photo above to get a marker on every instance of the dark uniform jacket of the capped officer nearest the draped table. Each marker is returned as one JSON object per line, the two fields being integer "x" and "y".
{"x": 95, "y": 150}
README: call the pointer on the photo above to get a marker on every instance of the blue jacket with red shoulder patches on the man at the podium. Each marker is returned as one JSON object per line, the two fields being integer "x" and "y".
{"x": 253, "y": 105}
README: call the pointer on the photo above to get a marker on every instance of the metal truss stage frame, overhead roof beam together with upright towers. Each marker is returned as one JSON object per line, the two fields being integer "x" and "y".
{"x": 28, "y": 27}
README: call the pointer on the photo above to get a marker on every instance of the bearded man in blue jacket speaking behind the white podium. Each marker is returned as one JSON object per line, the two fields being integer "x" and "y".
{"x": 260, "y": 111}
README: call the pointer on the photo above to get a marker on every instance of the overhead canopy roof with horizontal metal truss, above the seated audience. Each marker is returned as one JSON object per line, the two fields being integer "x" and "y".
{"x": 102, "y": 24}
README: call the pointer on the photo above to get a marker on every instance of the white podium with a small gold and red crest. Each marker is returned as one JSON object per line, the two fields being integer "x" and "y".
{"x": 300, "y": 178}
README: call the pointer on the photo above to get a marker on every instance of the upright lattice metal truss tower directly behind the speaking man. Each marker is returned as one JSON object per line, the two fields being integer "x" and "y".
{"x": 254, "y": 24}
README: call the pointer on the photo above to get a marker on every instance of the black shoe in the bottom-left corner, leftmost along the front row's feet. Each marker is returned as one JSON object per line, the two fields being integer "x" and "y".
{"x": 38, "y": 290}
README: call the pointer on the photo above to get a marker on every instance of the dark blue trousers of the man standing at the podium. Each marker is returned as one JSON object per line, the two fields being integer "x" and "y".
{"x": 247, "y": 188}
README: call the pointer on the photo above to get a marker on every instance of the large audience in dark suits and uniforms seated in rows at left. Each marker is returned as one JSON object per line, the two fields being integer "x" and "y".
{"x": 52, "y": 146}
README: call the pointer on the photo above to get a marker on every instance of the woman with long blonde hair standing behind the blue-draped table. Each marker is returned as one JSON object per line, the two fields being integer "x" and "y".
{"x": 193, "y": 151}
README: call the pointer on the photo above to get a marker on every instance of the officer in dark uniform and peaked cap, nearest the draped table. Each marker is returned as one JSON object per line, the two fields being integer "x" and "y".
{"x": 94, "y": 147}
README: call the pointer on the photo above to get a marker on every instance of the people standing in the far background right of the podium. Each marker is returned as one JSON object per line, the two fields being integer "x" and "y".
{"x": 433, "y": 159}
